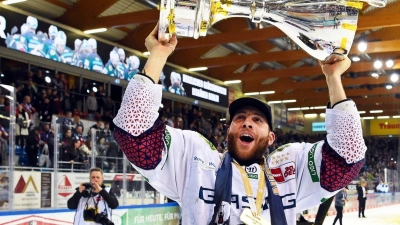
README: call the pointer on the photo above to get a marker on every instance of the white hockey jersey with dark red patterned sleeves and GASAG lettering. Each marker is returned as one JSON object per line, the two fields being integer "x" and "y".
{"x": 182, "y": 164}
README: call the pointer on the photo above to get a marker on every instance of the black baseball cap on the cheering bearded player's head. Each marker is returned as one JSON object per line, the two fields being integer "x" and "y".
{"x": 246, "y": 101}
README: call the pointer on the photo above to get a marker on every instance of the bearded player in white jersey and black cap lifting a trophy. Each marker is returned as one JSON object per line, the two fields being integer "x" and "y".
{"x": 240, "y": 185}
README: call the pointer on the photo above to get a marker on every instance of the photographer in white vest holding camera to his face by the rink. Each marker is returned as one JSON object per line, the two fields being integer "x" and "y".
{"x": 92, "y": 202}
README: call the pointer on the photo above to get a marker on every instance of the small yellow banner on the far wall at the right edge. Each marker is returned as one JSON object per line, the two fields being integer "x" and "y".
{"x": 385, "y": 127}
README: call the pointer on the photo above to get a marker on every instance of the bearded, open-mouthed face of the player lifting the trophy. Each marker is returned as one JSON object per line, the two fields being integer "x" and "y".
{"x": 249, "y": 134}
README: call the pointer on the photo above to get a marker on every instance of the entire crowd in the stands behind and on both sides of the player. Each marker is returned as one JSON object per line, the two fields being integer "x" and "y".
{"x": 38, "y": 100}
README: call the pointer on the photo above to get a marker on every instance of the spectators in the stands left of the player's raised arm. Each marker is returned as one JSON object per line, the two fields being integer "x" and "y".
{"x": 38, "y": 99}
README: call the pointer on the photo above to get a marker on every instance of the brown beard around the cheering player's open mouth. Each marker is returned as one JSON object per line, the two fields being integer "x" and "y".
{"x": 256, "y": 153}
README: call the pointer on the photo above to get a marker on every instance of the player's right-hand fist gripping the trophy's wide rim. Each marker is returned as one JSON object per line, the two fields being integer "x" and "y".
{"x": 335, "y": 65}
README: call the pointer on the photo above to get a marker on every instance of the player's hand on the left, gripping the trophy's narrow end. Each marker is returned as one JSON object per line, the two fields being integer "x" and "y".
{"x": 160, "y": 47}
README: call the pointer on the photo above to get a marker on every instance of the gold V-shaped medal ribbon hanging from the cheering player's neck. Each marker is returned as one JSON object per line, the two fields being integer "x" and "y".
{"x": 255, "y": 207}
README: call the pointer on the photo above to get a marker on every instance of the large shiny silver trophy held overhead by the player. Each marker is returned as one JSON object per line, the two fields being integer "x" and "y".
{"x": 319, "y": 27}
